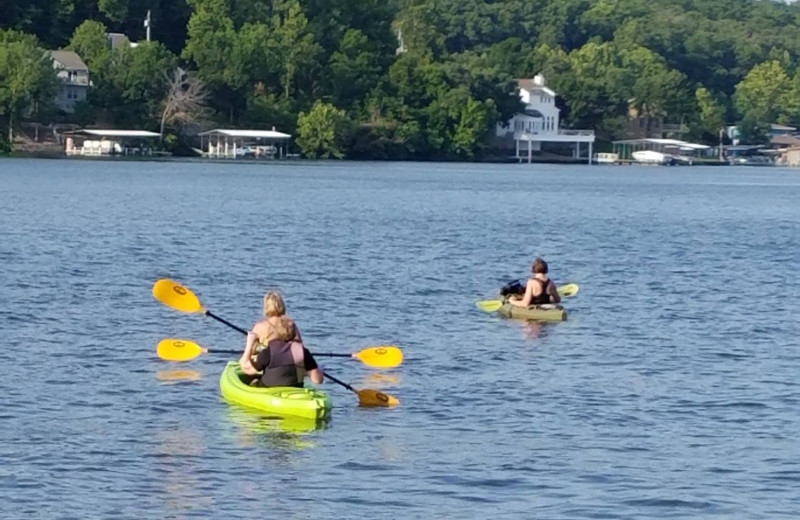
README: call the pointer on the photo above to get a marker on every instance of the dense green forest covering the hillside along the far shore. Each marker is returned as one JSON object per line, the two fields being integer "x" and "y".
{"x": 402, "y": 79}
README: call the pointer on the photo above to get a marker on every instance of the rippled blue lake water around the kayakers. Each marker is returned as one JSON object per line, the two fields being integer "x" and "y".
{"x": 672, "y": 390}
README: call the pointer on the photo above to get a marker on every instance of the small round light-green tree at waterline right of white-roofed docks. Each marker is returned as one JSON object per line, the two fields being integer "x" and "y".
{"x": 323, "y": 131}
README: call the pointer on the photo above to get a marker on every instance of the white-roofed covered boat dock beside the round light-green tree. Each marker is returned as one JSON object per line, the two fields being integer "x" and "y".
{"x": 236, "y": 144}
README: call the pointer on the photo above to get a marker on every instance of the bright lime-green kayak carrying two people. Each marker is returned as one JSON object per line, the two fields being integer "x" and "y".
{"x": 281, "y": 400}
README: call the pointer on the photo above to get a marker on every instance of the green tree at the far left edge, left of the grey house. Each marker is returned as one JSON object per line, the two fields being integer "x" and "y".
{"x": 27, "y": 77}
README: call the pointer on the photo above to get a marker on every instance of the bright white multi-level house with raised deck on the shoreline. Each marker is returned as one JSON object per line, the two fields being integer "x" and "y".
{"x": 539, "y": 122}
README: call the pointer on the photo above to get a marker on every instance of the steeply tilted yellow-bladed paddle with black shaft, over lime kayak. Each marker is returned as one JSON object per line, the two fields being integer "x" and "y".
{"x": 181, "y": 298}
